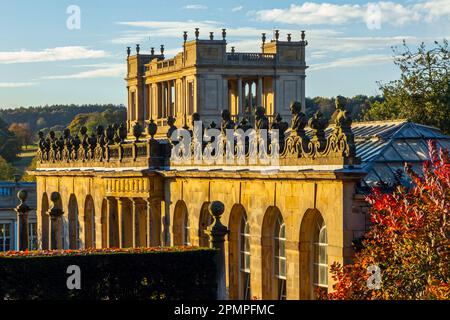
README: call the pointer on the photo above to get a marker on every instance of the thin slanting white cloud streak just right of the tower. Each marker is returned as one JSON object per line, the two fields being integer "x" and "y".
{"x": 369, "y": 59}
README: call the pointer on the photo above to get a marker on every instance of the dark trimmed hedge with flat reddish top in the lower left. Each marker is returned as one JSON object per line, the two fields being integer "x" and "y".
{"x": 139, "y": 274}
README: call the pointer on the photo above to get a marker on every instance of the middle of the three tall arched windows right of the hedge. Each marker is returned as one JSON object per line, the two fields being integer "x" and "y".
{"x": 280, "y": 257}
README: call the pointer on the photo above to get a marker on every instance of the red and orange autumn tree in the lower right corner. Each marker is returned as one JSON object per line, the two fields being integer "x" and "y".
{"x": 408, "y": 241}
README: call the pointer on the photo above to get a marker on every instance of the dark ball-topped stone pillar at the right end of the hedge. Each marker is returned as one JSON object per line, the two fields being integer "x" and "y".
{"x": 217, "y": 232}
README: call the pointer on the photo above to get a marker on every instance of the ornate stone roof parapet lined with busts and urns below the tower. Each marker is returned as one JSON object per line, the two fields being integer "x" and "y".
{"x": 109, "y": 148}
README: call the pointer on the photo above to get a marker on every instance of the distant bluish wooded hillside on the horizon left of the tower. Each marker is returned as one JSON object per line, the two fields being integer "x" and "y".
{"x": 52, "y": 116}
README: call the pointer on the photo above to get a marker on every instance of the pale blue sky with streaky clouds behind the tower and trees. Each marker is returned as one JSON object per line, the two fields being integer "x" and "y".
{"x": 44, "y": 62}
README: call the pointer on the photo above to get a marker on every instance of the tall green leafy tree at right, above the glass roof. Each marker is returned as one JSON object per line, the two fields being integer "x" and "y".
{"x": 422, "y": 94}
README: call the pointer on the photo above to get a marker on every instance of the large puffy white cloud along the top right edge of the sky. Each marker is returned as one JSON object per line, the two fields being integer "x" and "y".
{"x": 310, "y": 13}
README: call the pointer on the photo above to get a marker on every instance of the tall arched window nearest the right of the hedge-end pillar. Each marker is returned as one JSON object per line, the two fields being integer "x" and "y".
{"x": 244, "y": 261}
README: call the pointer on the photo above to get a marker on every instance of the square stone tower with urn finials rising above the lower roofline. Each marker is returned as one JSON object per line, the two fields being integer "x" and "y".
{"x": 205, "y": 78}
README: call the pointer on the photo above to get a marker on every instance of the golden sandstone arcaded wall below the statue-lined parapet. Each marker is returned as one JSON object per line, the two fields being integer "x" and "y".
{"x": 300, "y": 198}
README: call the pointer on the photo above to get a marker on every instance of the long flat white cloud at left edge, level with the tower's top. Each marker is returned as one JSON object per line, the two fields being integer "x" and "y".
{"x": 49, "y": 55}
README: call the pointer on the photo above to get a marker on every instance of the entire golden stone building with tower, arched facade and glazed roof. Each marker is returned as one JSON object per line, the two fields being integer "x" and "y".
{"x": 121, "y": 187}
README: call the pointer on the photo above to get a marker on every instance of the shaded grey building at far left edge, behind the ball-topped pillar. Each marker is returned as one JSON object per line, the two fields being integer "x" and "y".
{"x": 8, "y": 216}
